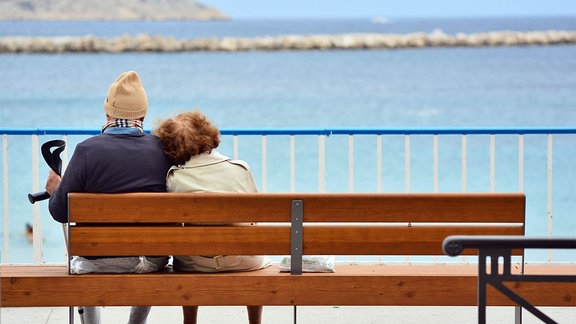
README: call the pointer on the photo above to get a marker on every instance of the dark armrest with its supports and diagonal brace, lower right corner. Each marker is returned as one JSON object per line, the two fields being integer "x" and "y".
{"x": 495, "y": 249}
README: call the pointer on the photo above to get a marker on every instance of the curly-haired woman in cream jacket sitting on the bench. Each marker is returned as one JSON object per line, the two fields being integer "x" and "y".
{"x": 189, "y": 140}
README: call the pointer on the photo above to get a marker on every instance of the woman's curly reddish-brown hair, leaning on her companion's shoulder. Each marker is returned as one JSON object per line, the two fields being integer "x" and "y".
{"x": 187, "y": 134}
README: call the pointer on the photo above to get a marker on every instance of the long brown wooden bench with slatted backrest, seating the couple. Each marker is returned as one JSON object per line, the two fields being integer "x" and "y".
{"x": 361, "y": 224}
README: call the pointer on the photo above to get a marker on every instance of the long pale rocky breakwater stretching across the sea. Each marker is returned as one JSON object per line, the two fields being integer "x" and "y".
{"x": 149, "y": 43}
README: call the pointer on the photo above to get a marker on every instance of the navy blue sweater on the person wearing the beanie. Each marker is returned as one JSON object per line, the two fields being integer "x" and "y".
{"x": 112, "y": 163}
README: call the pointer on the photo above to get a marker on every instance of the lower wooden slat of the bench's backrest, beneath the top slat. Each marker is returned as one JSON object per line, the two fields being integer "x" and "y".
{"x": 271, "y": 240}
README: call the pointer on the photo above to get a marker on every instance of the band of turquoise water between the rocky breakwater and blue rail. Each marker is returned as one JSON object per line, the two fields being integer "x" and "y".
{"x": 532, "y": 86}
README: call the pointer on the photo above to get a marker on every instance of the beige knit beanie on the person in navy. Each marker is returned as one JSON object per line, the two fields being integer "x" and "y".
{"x": 126, "y": 97}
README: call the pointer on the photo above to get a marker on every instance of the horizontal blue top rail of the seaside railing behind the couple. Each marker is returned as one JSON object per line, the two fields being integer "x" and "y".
{"x": 324, "y": 131}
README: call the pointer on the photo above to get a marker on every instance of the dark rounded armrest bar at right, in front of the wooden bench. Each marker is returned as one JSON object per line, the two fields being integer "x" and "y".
{"x": 454, "y": 245}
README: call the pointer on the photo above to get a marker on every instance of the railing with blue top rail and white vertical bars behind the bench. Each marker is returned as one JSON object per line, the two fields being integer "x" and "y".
{"x": 349, "y": 159}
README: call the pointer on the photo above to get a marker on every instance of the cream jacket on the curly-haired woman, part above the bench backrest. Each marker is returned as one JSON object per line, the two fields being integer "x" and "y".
{"x": 211, "y": 172}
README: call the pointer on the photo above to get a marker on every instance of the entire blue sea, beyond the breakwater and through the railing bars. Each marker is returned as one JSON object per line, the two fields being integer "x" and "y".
{"x": 525, "y": 86}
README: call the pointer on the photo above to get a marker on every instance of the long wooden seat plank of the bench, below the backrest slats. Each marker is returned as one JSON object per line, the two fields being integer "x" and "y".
{"x": 351, "y": 285}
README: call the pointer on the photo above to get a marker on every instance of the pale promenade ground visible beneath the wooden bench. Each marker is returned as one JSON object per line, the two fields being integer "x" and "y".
{"x": 284, "y": 315}
